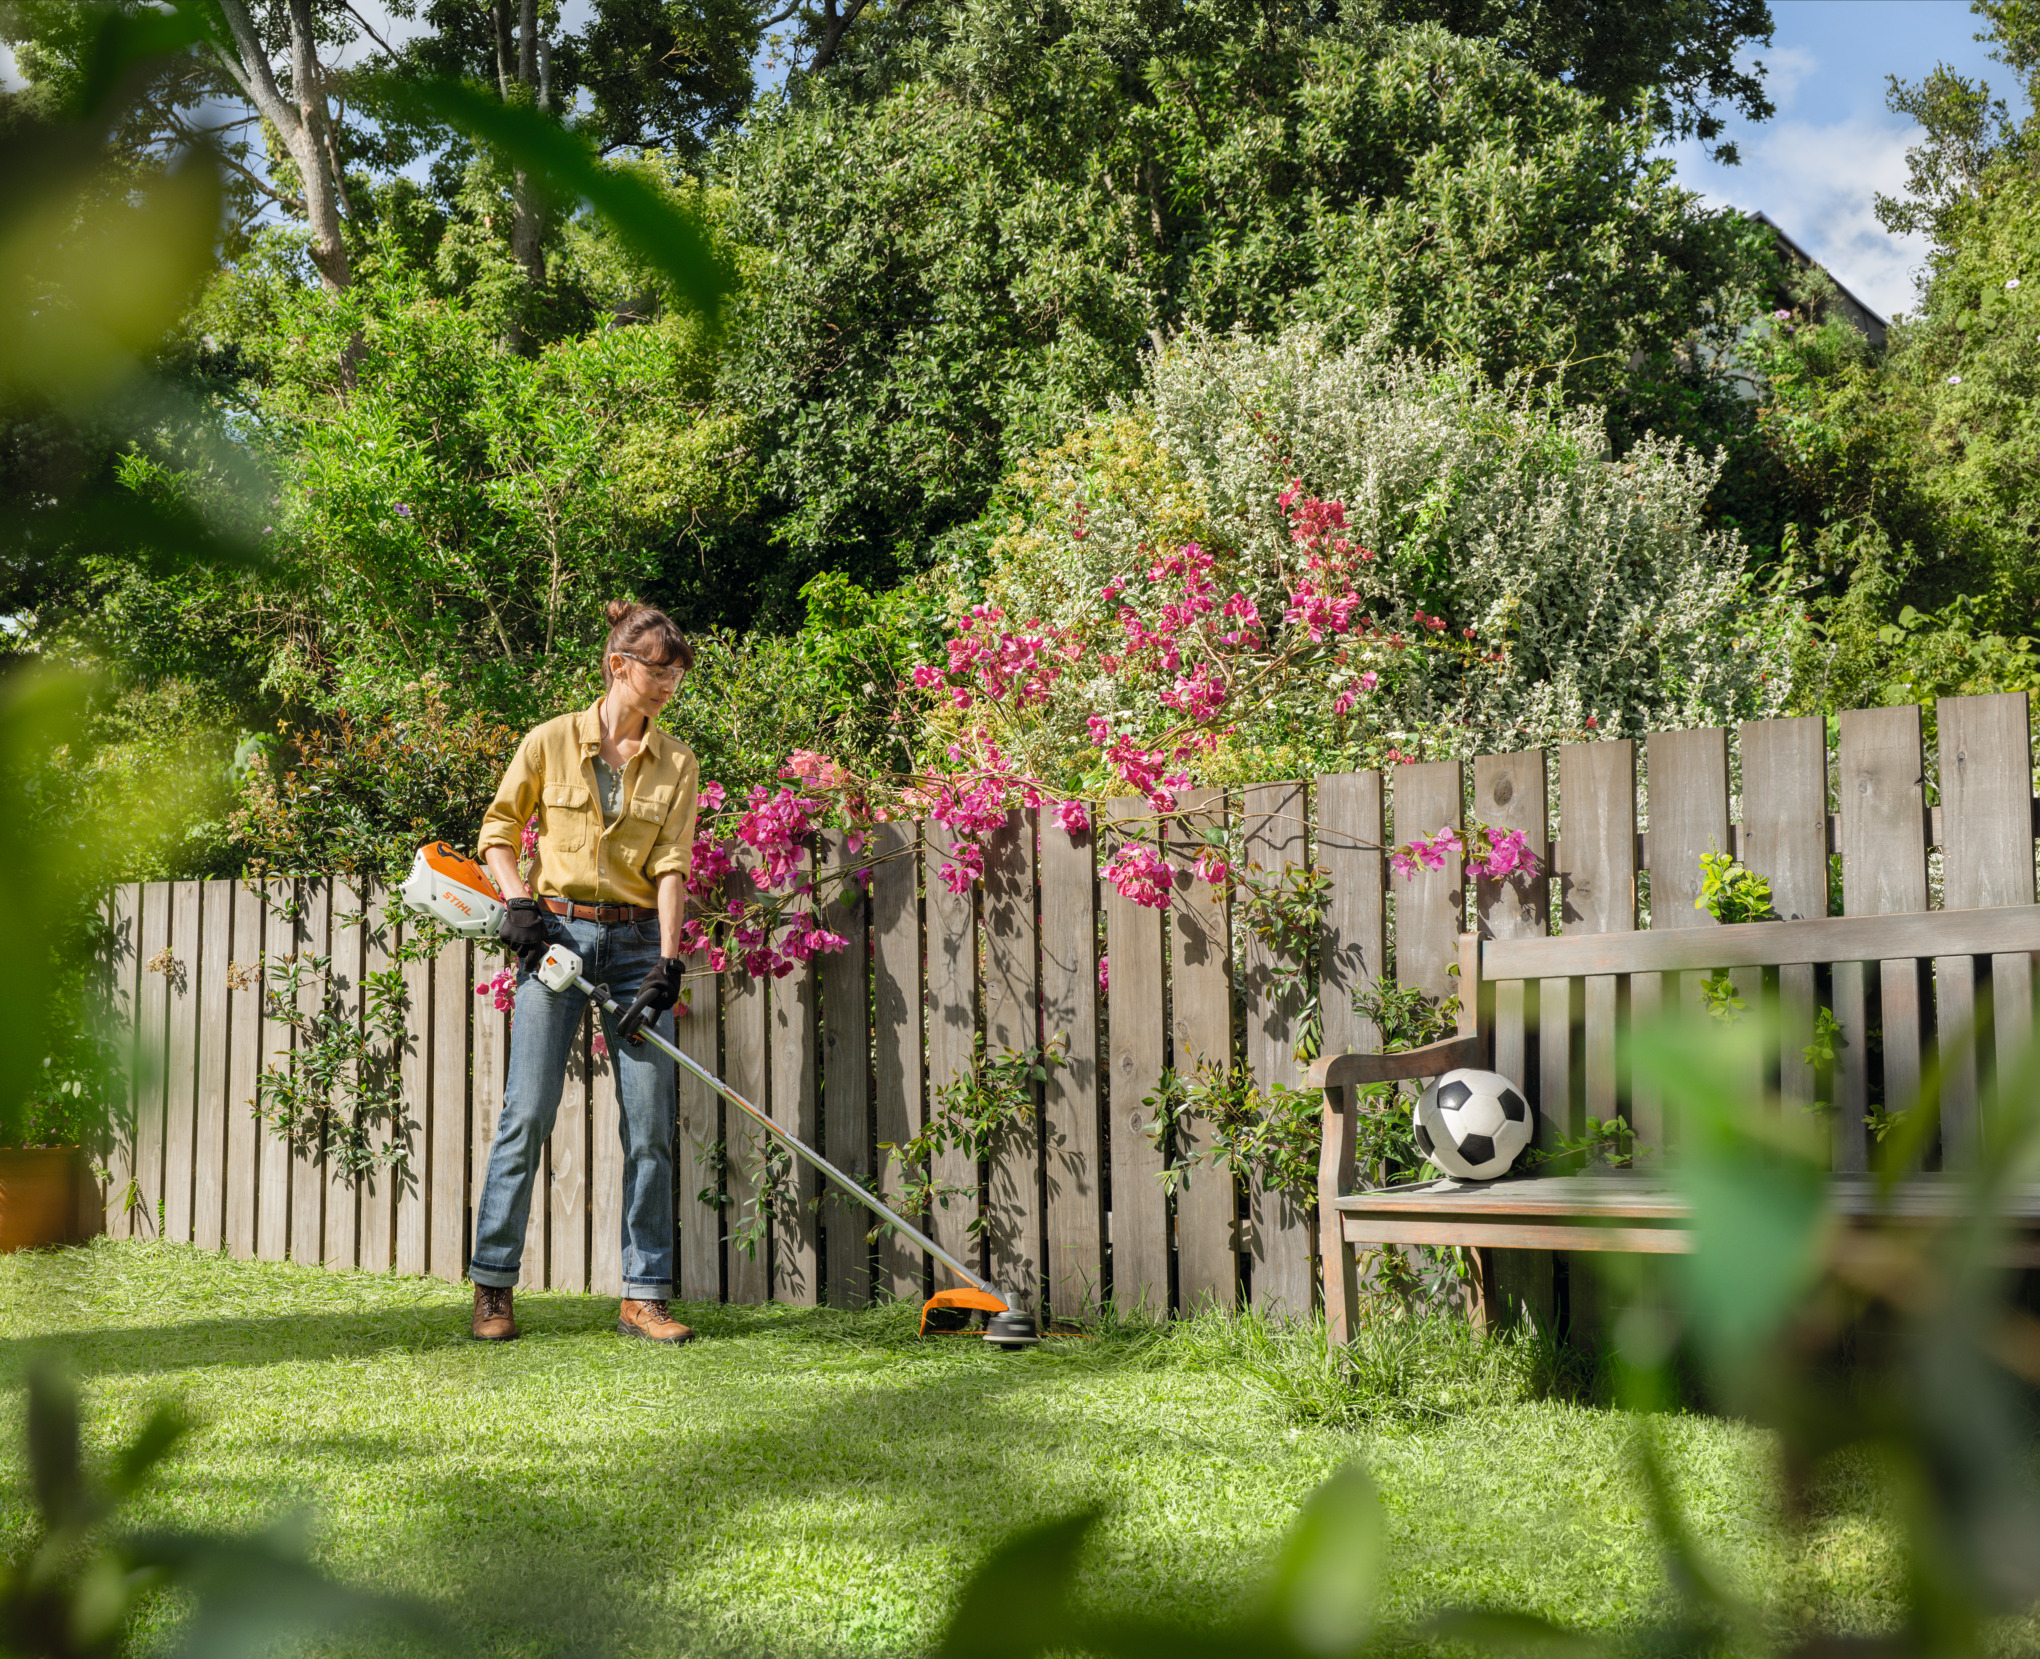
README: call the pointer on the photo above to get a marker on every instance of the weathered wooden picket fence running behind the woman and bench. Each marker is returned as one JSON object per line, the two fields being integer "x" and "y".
{"x": 850, "y": 1052}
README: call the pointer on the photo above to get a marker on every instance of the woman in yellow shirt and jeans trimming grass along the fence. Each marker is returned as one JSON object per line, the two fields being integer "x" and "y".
{"x": 615, "y": 801}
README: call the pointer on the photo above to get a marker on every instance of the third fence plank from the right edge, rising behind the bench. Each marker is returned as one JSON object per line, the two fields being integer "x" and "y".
{"x": 1786, "y": 842}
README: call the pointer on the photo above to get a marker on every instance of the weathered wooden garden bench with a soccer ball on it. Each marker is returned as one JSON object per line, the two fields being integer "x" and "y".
{"x": 1535, "y": 1007}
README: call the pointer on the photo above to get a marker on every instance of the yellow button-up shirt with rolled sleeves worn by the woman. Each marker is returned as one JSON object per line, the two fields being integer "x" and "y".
{"x": 580, "y": 858}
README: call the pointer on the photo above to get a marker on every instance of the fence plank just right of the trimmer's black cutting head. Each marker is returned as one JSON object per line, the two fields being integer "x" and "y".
{"x": 1076, "y": 1197}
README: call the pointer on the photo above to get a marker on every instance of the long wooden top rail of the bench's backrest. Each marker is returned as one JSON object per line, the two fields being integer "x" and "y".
{"x": 1927, "y": 934}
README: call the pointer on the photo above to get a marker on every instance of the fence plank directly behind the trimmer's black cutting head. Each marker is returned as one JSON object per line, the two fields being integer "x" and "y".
{"x": 1013, "y": 1025}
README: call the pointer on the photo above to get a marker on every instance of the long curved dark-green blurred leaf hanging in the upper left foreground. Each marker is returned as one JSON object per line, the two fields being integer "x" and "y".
{"x": 654, "y": 228}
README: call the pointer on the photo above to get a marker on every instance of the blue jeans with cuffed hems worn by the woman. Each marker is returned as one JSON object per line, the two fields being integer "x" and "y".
{"x": 542, "y": 1034}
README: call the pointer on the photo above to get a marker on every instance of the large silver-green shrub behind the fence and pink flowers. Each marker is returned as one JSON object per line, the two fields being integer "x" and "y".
{"x": 1596, "y": 593}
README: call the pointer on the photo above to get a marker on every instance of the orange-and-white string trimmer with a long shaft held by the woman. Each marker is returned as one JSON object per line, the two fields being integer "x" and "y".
{"x": 462, "y": 897}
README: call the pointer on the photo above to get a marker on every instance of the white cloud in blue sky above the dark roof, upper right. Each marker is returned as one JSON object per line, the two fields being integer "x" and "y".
{"x": 1821, "y": 183}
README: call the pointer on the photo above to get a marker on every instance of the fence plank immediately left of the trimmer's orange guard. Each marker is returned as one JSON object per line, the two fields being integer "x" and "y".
{"x": 899, "y": 1048}
